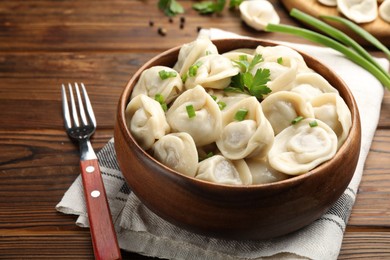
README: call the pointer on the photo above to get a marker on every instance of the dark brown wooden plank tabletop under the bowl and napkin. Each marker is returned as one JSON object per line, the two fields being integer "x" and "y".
{"x": 46, "y": 43}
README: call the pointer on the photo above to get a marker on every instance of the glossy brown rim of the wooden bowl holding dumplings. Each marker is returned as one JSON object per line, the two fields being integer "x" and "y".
{"x": 293, "y": 180}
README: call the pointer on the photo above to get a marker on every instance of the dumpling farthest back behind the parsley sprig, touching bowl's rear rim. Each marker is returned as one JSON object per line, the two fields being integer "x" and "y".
{"x": 279, "y": 53}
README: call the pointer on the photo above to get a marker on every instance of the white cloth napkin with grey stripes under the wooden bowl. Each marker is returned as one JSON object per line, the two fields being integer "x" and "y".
{"x": 139, "y": 230}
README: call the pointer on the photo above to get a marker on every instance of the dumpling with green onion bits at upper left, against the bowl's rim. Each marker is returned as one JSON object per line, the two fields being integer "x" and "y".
{"x": 159, "y": 80}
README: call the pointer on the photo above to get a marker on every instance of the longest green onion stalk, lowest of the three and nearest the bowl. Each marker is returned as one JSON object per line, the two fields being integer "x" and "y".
{"x": 319, "y": 38}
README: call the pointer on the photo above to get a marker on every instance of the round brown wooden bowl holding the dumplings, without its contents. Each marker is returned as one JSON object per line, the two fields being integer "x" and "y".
{"x": 236, "y": 212}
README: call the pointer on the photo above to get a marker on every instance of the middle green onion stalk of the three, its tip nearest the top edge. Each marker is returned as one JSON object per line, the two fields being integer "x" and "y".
{"x": 336, "y": 34}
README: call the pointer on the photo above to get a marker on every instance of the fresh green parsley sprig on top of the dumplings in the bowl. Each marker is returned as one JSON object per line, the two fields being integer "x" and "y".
{"x": 245, "y": 82}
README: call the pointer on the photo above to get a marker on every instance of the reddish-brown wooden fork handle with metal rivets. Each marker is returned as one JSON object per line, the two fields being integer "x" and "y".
{"x": 104, "y": 240}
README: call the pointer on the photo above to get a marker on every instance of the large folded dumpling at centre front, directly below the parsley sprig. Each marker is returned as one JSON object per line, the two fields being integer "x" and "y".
{"x": 251, "y": 136}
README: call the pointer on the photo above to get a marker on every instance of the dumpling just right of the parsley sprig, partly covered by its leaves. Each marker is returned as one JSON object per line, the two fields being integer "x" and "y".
{"x": 281, "y": 74}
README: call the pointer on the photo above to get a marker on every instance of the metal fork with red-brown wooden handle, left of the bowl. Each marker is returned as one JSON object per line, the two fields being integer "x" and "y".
{"x": 104, "y": 241}
